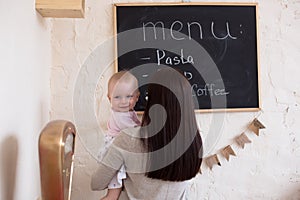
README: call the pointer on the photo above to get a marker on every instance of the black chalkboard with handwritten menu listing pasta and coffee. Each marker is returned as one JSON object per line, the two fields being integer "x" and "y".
{"x": 214, "y": 45}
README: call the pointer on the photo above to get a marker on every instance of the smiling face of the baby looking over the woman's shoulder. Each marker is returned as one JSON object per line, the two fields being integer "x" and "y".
{"x": 123, "y": 97}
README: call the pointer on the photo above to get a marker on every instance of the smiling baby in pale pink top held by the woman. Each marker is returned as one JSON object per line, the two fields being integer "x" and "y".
{"x": 123, "y": 94}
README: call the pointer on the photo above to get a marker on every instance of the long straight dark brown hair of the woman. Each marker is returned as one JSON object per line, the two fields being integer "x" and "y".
{"x": 171, "y": 135}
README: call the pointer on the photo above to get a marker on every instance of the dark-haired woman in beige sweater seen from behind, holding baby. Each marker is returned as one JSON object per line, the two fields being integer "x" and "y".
{"x": 162, "y": 155}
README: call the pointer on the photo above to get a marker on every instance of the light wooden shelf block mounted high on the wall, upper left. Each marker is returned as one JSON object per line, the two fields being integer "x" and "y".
{"x": 60, "y": 8}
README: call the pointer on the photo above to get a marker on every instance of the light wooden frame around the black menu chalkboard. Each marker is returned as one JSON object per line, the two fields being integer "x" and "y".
{"x": 238, "y": 109}
